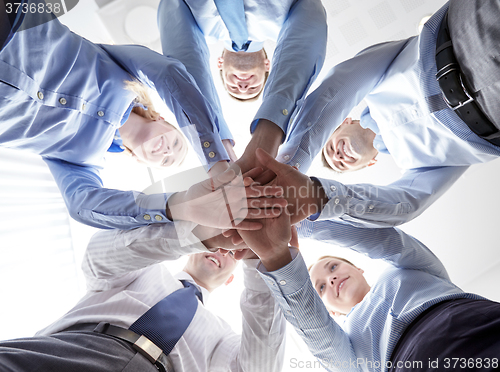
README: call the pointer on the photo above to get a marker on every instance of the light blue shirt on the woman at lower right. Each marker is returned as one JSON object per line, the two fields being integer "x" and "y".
{"x": 364, "y": 342}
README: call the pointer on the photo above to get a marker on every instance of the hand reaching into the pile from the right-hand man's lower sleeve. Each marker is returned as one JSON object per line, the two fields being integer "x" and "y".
{"x": 304, "y": 196}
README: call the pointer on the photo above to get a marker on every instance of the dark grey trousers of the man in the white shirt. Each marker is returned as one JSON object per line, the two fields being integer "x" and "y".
{"x": 72, "y": 352}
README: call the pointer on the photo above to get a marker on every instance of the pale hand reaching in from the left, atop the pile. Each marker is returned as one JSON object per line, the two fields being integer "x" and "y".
{"x": 225, "y": 201}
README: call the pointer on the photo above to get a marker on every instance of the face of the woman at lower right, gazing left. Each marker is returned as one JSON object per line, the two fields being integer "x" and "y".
{"x": 339, "y": 284}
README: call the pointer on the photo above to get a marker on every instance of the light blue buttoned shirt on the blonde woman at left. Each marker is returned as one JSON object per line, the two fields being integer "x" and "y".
{"x": 63, "y": 97}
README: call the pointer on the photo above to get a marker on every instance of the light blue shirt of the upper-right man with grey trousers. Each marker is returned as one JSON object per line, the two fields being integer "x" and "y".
{"x": 406, "y": 110}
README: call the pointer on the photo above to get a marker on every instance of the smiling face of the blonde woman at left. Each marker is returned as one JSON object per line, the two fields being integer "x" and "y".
{"x": 153, "y": 142}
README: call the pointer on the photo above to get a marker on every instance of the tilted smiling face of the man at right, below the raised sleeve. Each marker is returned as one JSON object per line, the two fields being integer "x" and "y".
{"x": 350, "y": 147}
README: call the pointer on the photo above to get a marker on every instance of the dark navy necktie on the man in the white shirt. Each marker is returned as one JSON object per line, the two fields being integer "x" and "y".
{"x": 165, "y": 323}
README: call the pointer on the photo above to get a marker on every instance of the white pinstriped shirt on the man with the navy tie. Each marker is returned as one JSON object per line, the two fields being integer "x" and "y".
{"x": 125, "y": 278}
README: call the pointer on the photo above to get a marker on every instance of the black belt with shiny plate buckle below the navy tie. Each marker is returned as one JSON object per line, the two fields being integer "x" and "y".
{"x": 140, "y": 343}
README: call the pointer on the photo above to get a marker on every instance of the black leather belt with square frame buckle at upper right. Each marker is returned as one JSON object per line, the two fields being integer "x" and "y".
{"x": 455, "y": 92}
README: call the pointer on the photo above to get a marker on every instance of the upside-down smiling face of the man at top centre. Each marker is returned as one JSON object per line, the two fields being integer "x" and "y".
{"x": 243, "y": 73}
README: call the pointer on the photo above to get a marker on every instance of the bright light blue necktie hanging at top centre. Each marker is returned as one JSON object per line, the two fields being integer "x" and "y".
{"x": 232, "y": 13}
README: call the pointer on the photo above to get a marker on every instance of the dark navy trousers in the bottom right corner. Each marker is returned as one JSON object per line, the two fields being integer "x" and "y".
{"x": 457, "y": 335}
